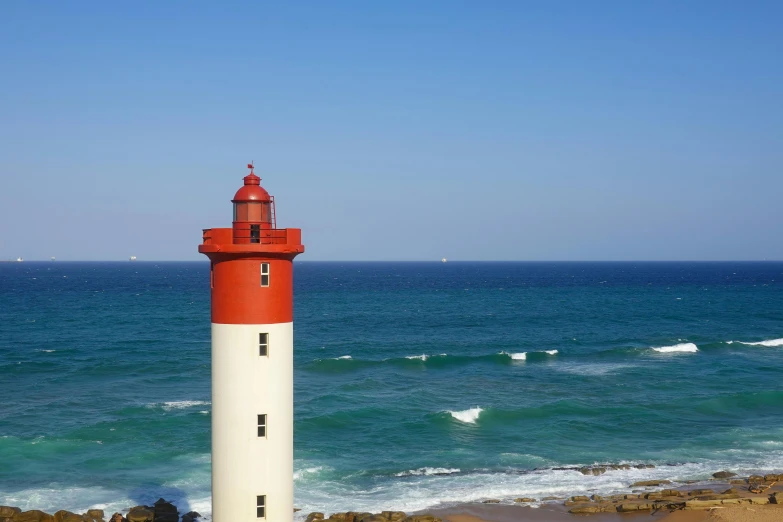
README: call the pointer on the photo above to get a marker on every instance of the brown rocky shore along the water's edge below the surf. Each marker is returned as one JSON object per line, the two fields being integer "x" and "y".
{"x": 725, "y": 489}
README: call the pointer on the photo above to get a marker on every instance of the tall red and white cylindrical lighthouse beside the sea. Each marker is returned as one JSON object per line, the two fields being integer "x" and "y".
{"x": 251, "y": 280}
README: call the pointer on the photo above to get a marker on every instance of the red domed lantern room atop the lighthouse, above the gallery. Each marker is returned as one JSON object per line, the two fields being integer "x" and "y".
{"x": 254, "y": 211}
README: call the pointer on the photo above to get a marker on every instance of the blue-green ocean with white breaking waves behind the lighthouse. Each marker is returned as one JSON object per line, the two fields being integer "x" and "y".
{"x": 416, "y": 384}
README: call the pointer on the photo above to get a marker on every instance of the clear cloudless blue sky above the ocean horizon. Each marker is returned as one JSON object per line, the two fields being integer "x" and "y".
{"x": 551, "y": 130}
